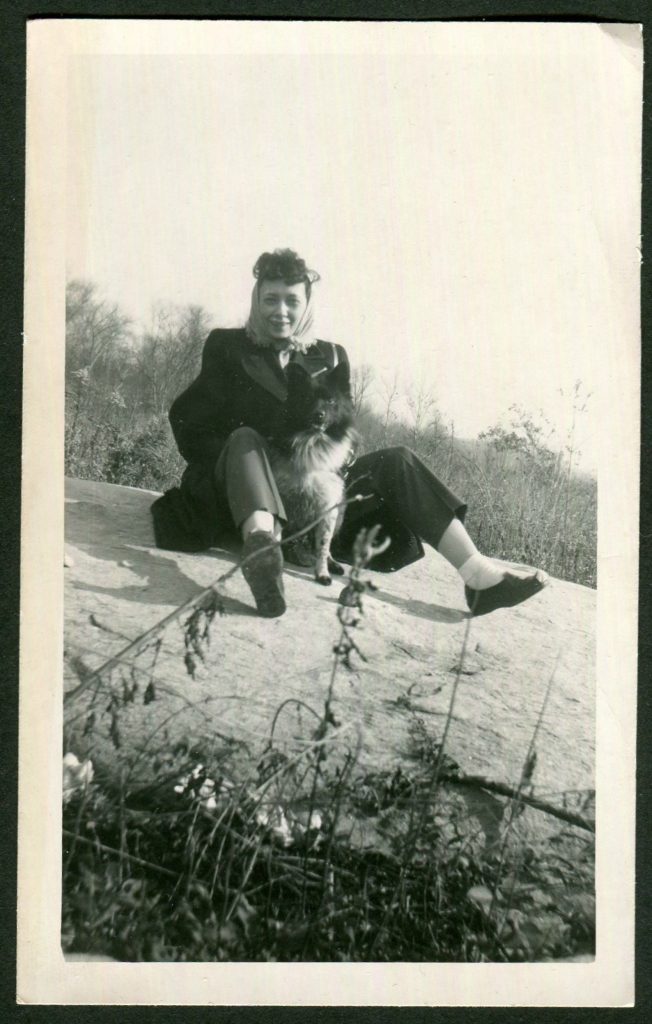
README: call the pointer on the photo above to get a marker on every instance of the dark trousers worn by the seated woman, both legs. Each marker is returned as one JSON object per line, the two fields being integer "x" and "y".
{"x": 397, "y": 485}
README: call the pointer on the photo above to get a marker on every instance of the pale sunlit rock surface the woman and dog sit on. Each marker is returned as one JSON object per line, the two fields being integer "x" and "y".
{"x": 118, "y": 585}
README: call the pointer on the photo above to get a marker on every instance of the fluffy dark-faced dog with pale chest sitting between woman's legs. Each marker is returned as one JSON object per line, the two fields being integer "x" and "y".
{"x": 309, "y": 461}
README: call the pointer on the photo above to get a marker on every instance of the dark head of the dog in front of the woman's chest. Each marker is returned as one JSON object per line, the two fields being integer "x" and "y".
{"x": 318, "y": 404}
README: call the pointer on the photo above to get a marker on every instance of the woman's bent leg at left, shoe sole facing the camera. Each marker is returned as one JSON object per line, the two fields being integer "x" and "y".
{"x": 244, "y": 476}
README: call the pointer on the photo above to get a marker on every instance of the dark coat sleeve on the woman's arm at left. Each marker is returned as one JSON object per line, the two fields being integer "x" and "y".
{"x": 198, "y": 416}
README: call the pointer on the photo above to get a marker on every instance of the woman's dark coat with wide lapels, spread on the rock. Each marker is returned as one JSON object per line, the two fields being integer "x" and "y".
{"x": 240, "y": 385}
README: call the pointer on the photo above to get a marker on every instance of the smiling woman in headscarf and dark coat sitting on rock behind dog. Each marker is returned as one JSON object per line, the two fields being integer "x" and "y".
{"x": 222, "y": 424}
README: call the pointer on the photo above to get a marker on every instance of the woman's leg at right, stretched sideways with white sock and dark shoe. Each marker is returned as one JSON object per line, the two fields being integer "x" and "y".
{"x": 413, "y": 494}
